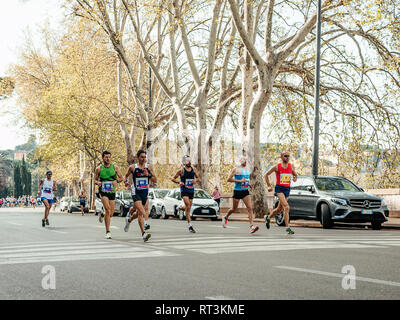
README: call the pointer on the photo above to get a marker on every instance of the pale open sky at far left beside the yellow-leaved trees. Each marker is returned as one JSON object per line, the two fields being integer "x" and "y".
{"x": 16, "y": 16}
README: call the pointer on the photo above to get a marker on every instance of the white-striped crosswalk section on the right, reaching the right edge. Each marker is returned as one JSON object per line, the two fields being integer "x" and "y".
{"x": 230, "y": 244}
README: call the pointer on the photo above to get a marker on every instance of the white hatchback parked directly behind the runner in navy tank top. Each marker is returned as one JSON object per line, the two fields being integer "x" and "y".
{"x": 204, "y": 206}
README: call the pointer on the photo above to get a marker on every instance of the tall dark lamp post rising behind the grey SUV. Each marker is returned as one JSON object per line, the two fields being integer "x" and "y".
{"x": 316, "y": 96}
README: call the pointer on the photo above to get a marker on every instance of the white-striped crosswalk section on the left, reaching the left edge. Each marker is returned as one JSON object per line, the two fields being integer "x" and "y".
{"x": 75, "y": 250}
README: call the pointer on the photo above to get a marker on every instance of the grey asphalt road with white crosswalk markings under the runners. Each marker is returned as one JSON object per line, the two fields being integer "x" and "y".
{"x": 214, "y": 263}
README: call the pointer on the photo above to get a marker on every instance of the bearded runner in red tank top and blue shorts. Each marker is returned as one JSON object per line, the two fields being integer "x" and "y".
{"x": 284, "y": 172}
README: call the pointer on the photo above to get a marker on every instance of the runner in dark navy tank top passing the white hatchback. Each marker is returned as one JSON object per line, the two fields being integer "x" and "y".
{"x": 188, "y": 178}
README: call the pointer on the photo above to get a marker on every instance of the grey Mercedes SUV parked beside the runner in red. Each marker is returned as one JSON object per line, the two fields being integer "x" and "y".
{"x": 333, "y": 199}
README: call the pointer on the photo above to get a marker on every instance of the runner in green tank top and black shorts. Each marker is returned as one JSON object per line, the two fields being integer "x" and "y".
{"x": 106, "y": 177}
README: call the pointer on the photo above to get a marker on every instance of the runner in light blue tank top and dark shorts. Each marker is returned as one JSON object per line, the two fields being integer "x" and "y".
{"x": 241, "y": 177}
